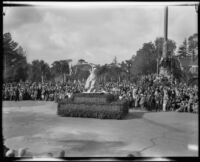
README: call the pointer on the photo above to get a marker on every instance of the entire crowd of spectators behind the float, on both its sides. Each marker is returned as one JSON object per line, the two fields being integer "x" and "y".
{"x": 150, "y": 92}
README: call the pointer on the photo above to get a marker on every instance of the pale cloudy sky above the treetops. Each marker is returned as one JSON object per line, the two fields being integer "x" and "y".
{"x": 96, "y": 34}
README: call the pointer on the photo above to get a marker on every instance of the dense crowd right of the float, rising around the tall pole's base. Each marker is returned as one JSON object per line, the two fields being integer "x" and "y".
{"x": 160, "y": 94}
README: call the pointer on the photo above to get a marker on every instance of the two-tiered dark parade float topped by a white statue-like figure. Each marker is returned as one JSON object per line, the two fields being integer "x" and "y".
{"x": 93, "y": 103}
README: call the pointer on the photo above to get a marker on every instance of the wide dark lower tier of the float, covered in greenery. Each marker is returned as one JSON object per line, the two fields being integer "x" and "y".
{"x": 114, "y": 110}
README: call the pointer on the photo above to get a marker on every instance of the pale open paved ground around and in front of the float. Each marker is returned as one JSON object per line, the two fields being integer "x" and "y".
{"x": 36, "y": 126}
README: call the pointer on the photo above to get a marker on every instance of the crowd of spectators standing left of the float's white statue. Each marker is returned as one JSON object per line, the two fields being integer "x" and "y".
{"x": 40, "y": 91}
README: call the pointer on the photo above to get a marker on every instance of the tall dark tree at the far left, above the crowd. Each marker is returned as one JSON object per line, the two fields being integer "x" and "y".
{"x": 15, "y": 63}
